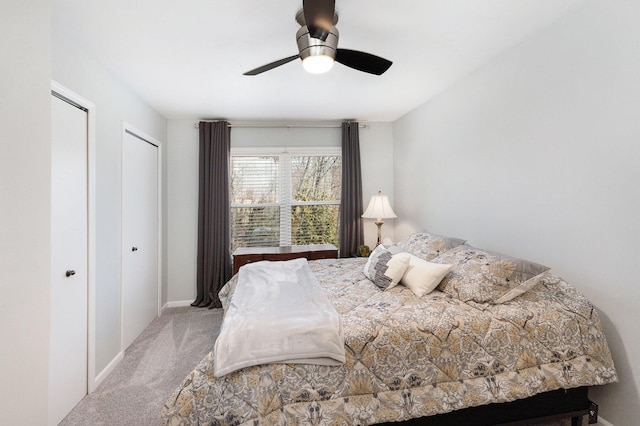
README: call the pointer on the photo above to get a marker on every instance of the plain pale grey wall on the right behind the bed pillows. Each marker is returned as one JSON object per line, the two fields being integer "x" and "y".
{"x": 537, "y": 155}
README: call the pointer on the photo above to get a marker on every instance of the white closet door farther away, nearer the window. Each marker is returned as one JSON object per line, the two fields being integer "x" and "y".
{"x": 140, "y": 235}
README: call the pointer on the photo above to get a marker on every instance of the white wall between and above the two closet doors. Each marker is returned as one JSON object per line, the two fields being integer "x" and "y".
{"x": 78, "y": 71}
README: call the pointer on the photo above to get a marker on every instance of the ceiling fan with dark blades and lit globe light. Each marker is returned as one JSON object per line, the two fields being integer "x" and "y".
{"x": 318, "y": 44}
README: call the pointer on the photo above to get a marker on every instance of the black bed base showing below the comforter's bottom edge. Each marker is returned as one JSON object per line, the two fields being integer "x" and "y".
{"x": 558, "y": 404}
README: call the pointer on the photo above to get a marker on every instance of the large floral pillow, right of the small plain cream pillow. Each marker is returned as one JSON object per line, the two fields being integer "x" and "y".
{"x": 488, "y": 277}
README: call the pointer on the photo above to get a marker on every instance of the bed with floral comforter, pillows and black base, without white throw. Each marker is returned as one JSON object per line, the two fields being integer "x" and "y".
{"x": 453, "y": 349}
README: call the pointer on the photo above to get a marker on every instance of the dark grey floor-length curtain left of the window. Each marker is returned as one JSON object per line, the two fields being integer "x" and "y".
{"x": 214, "y": 259}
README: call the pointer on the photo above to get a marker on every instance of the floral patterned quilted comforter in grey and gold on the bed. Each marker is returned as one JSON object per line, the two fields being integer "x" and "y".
{"x": 409, "y": 357}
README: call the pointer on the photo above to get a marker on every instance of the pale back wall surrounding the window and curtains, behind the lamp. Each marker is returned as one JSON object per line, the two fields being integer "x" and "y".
{"x": 376, "y": 152}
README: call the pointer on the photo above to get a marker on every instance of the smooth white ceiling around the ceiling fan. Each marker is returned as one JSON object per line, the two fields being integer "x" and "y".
{"x": 186, "y": 57}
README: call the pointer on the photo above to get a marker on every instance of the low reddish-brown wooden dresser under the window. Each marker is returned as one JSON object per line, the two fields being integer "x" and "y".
{"x": 245, "y": 255}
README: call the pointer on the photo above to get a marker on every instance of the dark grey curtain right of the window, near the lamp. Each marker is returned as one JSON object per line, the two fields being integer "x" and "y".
{"x": 351, "y": 229}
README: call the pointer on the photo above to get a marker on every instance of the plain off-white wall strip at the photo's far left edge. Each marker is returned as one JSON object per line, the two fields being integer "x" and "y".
{"x": 25, "y": 193}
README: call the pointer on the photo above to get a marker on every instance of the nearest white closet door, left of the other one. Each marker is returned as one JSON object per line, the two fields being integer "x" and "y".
{"x": 69, "y": 287}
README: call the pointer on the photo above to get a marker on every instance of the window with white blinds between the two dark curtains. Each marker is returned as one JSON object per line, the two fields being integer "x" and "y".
{"x": 285, "y": 198}
